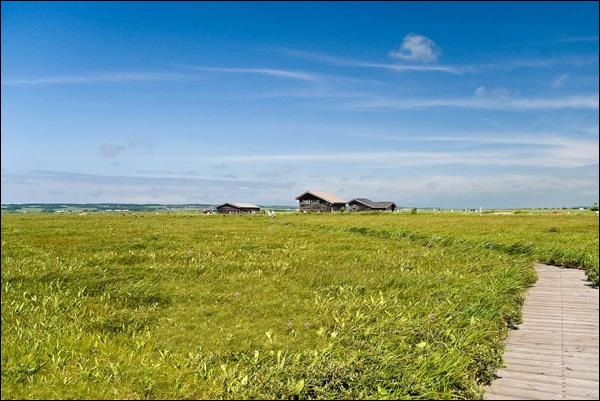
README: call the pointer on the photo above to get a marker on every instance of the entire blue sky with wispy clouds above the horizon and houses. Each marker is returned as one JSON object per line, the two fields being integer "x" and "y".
{"x": 453, "y": 105}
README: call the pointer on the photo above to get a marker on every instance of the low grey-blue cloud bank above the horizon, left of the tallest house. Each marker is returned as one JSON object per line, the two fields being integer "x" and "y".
{"x": 64, "y": 186}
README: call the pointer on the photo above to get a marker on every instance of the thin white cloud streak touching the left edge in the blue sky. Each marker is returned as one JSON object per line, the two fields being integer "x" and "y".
{"x": 119, "y": 77}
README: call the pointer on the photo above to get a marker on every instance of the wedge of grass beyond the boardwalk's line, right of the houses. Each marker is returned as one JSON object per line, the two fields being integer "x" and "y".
{"x": 555, "y": 238}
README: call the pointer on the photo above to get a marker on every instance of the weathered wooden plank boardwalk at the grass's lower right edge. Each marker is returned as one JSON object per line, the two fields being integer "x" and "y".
{"x": 554, "y": 353}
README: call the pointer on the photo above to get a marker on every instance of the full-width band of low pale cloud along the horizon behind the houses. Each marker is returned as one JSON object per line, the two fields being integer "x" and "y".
{"x": 444, "y": 188}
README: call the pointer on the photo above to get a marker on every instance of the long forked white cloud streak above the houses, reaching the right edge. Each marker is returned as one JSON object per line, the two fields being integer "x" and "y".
{"x": 519, "y": 150}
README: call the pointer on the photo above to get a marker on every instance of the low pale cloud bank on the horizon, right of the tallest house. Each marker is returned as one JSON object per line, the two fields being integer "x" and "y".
{"x": 497, "y": 190}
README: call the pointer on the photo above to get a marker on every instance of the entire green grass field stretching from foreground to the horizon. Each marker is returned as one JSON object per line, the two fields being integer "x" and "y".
{"x": 302, "y": 306}
